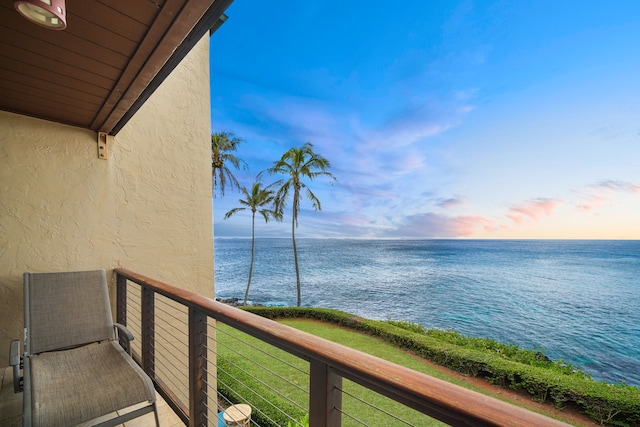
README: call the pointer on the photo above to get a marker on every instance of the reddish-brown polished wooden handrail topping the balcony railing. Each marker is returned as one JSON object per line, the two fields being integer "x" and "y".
{"x": 439, "y": 399}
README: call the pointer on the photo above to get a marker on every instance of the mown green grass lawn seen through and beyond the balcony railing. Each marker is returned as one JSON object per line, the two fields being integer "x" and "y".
{"x": 270, "y": 374}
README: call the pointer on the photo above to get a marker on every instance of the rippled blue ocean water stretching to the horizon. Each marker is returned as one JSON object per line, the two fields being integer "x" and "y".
{"x": 579, "y": 301}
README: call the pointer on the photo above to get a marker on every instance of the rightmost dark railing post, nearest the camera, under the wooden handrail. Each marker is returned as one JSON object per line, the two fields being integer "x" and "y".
{"x": 325, "y": 396}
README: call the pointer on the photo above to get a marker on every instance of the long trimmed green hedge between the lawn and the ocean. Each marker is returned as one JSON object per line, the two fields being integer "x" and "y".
{"x": 502, "y": 364}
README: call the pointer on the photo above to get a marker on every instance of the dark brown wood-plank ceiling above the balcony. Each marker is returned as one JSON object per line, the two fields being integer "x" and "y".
{"x": 97, "y": 72}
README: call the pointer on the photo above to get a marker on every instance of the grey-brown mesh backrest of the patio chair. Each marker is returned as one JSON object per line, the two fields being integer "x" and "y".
{"x": 63, "y": 310}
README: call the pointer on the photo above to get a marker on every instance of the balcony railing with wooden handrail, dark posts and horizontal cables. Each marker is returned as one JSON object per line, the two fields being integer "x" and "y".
{"x": 187, "y": 382}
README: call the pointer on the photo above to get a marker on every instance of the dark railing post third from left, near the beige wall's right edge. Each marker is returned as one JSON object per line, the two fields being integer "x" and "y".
{"x": 198, "y": 408}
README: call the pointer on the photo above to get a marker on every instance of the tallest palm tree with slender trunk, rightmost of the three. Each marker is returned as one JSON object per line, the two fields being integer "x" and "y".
{"x": 296, "y": 164}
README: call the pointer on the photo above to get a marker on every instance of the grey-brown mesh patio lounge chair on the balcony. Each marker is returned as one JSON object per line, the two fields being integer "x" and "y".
{"x": 74, "y": 367}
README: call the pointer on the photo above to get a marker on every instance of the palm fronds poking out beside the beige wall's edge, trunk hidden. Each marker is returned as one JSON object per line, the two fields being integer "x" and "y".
{"x": 222, "y": 143}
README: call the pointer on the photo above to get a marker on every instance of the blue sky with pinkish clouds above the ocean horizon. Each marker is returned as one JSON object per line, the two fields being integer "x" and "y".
{"x": 441, "y": 119}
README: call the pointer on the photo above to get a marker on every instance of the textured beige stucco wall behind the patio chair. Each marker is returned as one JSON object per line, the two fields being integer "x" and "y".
{"x": 147, "y": 208}
